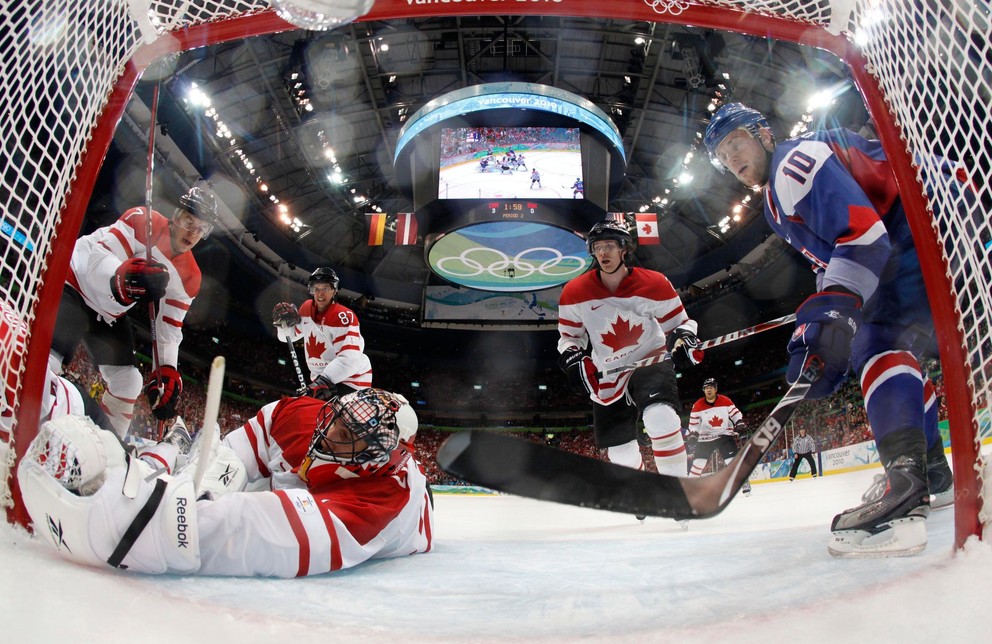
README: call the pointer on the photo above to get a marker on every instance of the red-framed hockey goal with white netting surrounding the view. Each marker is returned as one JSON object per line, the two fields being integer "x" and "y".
{"x": 924, "y": 69}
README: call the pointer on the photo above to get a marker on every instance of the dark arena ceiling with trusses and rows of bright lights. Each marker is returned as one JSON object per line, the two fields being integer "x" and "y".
{"x": 362, "y": 81}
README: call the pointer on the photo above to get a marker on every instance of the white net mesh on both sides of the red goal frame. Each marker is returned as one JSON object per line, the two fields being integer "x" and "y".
{"x": 932, "y": 59}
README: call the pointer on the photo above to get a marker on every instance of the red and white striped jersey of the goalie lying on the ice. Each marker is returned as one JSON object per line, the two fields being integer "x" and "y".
{"x": 341, "y": 517}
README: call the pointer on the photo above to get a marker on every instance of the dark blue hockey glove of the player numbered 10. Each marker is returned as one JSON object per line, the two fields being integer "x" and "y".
{"x": 825, "y": 326}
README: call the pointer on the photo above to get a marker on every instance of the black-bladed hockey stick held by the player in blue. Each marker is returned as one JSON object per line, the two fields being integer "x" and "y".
{"x": 518, "y": 466}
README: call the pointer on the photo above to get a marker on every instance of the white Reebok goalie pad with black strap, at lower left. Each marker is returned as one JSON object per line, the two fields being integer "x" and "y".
{"x": 149, "y": 526}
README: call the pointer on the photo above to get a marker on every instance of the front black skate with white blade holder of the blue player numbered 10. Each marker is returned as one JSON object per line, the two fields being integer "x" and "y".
{"x": 892, "y": 520}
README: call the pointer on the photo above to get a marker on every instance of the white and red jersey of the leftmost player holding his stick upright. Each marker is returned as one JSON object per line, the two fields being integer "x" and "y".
{"x": 97, "y": 256}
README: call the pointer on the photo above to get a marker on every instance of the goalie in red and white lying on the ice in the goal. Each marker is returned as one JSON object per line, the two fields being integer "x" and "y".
{"x": 356, "y": 494}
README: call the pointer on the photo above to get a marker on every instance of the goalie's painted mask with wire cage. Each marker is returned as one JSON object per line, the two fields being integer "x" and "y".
{"x": 362, "y": 427}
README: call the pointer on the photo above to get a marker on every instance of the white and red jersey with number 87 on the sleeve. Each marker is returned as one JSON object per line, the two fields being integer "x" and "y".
{"x": 333, "y": 344}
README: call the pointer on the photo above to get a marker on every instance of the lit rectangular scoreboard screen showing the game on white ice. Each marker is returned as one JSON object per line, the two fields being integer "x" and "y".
{"x": 510, "y": 163}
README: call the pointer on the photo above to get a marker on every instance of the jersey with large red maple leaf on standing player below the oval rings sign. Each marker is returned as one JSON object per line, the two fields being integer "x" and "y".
{"x": 621, "y": 327}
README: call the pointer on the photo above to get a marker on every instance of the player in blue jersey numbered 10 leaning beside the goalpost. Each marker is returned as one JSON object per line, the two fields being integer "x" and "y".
{"x": 832, "y": 196}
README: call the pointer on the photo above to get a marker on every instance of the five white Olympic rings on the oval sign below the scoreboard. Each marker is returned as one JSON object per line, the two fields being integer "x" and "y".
{"x": 502, "y": 266}
